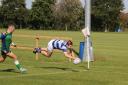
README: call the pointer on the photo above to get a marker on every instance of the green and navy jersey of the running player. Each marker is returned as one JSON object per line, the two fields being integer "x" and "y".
{"x": 6, "y": 39}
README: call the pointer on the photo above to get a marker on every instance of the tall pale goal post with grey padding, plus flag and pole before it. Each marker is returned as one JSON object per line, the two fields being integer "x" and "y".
{"x": 88, "y": 54}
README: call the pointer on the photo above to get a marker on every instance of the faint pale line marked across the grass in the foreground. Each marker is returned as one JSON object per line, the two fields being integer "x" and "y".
{"x": 26, "y": 75}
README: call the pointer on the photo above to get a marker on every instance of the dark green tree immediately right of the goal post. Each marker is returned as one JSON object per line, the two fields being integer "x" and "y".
{"x": 106, "y": 13}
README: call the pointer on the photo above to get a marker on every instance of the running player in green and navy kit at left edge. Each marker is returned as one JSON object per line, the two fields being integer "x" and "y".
{"x": 6, "y": 40}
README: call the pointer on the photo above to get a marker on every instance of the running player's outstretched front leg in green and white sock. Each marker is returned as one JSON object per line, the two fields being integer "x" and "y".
{"x": 16, "y": 62}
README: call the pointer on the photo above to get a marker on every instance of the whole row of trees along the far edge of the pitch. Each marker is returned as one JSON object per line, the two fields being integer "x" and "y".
{"x": 60, "y": 14}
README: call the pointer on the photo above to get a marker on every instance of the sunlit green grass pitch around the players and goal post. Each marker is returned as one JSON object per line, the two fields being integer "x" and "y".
{"x": 109, "y": 68}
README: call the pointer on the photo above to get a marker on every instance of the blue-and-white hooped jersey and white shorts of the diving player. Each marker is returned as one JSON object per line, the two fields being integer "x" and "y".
{"x": 57, "y": 44}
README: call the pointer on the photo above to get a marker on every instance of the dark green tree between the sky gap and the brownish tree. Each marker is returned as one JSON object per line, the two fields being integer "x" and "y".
{"x": 41, "y": 14}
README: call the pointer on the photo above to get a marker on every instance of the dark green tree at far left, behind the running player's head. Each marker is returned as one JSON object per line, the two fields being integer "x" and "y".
{"x": 13, "y": 11}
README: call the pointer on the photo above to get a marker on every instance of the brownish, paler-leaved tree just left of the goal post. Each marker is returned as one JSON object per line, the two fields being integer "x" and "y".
{"x": 68, "y": 12}
